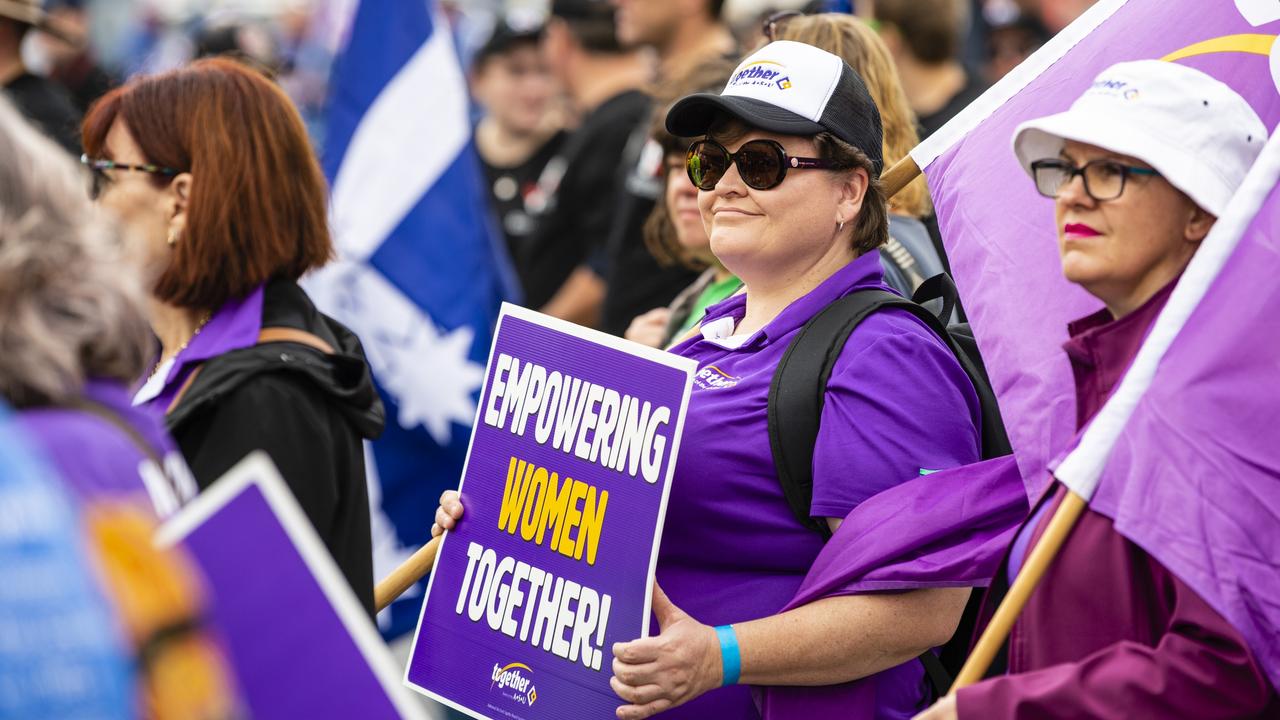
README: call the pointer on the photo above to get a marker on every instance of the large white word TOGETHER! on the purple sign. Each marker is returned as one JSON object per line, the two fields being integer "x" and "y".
{"x": 492, "y": 593}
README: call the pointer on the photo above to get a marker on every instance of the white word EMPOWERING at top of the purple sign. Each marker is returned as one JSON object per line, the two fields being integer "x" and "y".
{"x": 593, "y": 422}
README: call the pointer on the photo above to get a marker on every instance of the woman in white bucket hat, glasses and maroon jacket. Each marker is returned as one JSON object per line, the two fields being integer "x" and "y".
{"x": 1140, "y": 168}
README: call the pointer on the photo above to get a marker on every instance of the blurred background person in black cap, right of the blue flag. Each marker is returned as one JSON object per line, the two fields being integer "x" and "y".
{"x": 522, "y": 131}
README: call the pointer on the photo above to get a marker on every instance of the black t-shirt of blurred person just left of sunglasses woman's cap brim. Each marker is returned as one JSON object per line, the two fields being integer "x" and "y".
{"x": 637, "y": 284}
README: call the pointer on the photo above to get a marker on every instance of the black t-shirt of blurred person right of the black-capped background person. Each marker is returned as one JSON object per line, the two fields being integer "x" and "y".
{"x": 577, "y": 197}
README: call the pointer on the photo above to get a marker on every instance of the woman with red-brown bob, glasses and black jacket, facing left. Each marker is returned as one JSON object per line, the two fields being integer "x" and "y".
{"x": 211, "y": 171}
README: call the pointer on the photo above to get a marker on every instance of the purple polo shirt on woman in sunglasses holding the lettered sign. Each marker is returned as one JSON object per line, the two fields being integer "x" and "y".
{"x": 898, "y": 403}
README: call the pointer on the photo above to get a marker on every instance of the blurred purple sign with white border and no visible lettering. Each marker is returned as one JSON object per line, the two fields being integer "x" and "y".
{"x": 298, "y": 637}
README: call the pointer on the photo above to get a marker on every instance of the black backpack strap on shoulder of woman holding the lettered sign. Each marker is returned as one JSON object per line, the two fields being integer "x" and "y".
{"x": 798, "y": 390}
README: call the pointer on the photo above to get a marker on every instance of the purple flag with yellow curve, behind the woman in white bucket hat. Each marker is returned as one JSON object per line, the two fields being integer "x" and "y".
{"x": 999, "y": 233}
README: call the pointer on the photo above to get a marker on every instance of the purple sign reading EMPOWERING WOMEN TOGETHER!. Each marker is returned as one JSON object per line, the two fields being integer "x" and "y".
{"x": 565, "y": 489}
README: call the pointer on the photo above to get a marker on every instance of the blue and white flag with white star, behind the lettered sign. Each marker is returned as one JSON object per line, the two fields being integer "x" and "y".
{"x": 420, "y": 275}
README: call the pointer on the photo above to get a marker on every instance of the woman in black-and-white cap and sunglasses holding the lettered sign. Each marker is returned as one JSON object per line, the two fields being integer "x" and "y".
{"x": 788, "y": 171}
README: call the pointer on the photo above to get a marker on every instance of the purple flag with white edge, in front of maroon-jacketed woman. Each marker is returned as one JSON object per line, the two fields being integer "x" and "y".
{"x": 1194, "y": 477}
